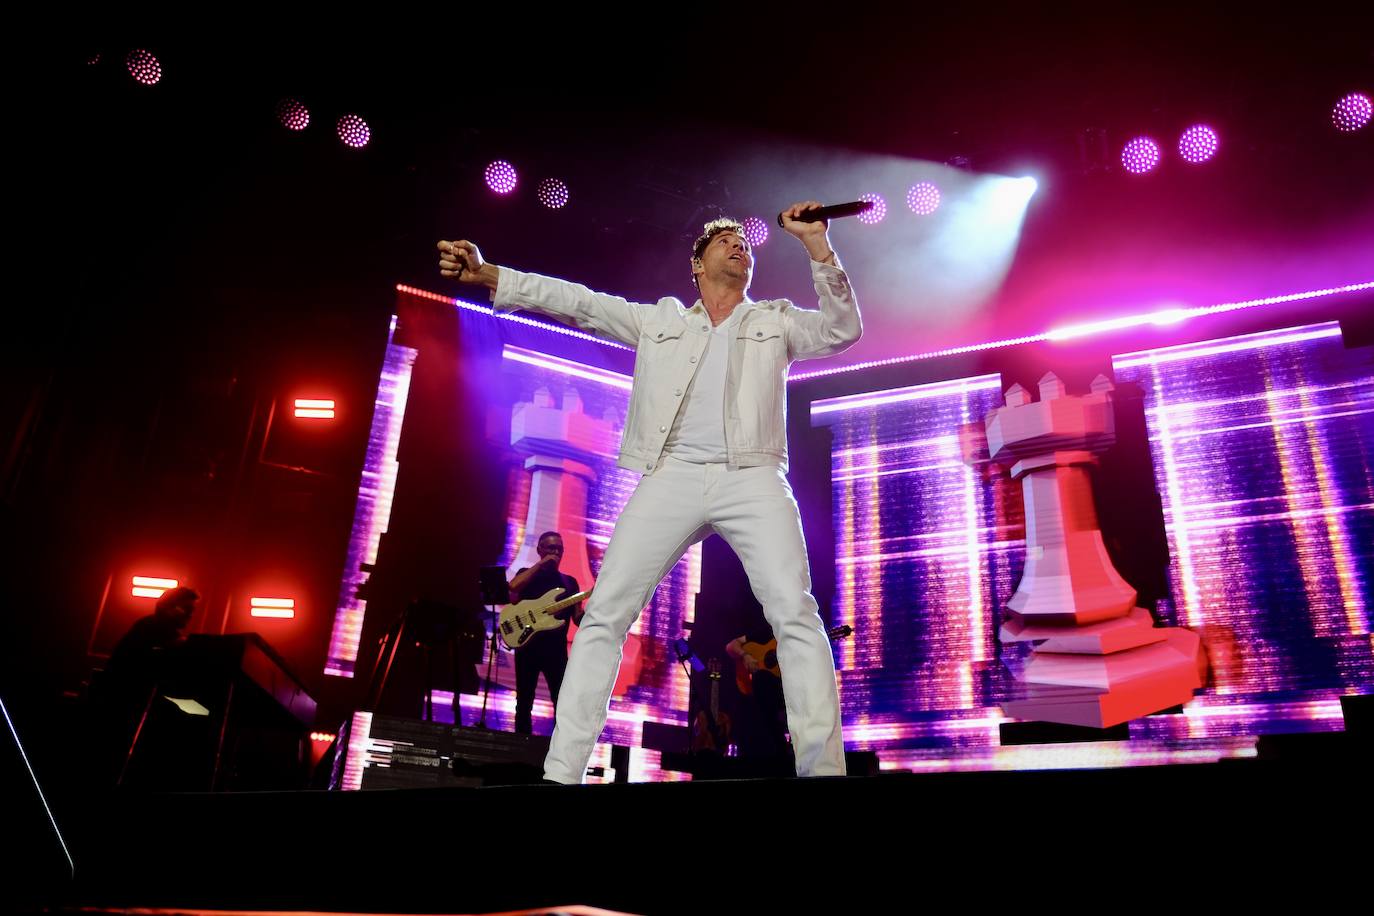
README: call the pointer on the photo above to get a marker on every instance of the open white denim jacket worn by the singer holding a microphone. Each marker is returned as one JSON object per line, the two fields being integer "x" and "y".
{"x": 670, "y": 340}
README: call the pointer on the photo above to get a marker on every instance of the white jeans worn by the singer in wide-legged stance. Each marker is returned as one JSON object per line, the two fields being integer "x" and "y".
{"x": 673, "y": 509}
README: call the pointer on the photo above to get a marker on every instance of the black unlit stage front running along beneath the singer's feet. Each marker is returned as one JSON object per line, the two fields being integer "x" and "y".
{"x": 1236, "y": 830}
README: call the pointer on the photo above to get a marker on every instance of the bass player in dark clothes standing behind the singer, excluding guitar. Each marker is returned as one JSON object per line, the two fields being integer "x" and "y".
{"x": 546, "y": 653}
